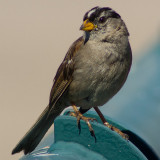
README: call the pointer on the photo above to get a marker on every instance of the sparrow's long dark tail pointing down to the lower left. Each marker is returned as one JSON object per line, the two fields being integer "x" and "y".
{"x": 32, "y": 138}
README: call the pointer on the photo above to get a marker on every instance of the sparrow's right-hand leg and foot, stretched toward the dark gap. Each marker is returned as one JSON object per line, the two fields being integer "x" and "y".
{"x": 125, "y": 136}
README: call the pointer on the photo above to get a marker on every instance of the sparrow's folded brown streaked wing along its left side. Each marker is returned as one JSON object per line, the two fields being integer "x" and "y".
{"x": 64, "y": 73}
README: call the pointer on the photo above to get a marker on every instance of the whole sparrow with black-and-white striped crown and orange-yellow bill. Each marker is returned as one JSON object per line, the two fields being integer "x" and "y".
{"x": 94, "y": 69}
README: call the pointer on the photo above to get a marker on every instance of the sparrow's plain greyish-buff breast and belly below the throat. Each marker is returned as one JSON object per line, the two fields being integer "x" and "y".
{"x": 99, "y": 74}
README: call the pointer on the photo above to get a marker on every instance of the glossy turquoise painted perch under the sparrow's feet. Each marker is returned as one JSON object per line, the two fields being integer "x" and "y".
{"x": 70, "y": 145}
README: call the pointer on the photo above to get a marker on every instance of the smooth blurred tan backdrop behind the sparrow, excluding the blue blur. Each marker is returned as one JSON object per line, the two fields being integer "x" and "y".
{"x": 34, "y": 37}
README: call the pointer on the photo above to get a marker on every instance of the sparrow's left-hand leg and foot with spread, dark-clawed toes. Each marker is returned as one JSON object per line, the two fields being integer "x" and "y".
{"x": 80, "y": 116}
